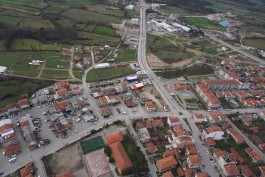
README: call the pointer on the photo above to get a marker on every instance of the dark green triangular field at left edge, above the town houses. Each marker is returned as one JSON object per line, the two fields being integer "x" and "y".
{"x": 12, "y": 88}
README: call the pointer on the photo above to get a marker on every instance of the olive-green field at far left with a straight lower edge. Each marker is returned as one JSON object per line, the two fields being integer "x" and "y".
{"x": 33, "y": 45}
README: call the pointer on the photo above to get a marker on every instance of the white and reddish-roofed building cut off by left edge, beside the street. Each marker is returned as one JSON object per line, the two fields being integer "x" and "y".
{"x": 6, "y": 129}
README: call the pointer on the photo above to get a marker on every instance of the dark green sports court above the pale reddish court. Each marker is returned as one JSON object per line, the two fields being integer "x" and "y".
{"x": 92, "y": 144}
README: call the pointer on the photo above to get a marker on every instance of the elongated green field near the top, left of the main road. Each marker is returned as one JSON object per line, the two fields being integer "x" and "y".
{"x": 87, "y": 16}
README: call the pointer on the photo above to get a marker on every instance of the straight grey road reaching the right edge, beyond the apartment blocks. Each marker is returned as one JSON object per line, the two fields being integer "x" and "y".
{"x": 234, "y": 48}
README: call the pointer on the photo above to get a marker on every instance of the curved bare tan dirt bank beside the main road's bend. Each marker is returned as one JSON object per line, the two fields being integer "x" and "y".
{"x": 155, "y": 63}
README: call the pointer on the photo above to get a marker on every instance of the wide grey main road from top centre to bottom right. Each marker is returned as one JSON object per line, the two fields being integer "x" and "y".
{"x": 175, "y": 108}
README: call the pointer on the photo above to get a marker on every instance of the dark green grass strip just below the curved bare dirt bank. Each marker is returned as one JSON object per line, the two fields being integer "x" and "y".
{"x": 197, "y": 69}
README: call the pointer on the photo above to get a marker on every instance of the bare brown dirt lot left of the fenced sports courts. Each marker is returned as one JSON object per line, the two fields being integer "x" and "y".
{"x": 70, "y": 157}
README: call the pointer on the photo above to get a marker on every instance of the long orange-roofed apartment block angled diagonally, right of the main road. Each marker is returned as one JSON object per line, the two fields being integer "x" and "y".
{"x": 208, "y": 96}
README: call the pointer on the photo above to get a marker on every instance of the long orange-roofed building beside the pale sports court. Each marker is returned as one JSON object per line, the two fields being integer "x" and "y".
{"x": 120, "y": 156}
